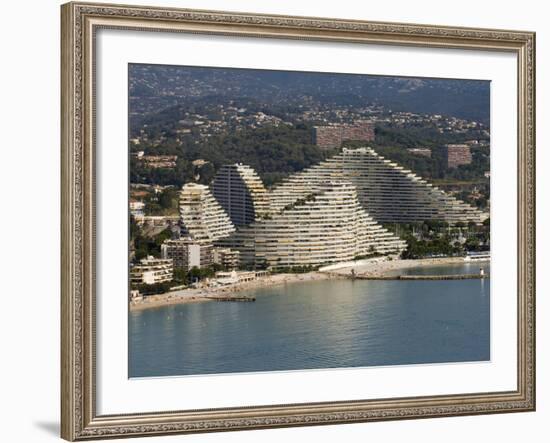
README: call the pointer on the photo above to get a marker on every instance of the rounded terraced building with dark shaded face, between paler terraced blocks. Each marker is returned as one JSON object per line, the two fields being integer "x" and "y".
{"x": 241, "y": 193}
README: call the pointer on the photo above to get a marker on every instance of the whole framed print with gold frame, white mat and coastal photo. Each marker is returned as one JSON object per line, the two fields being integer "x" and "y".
{"x": 282, "y": 221}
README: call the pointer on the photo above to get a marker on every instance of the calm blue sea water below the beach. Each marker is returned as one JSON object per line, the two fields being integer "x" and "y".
{"x": 323, "y": 324}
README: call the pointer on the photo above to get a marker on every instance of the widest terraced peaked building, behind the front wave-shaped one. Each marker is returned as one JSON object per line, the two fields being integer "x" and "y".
{"x": 387, "y": 191}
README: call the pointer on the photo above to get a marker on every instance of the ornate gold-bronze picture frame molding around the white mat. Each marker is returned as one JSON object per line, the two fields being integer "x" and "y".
{"x": 79, "y": 21}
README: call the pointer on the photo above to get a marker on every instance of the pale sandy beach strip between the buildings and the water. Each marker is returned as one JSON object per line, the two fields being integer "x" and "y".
{"x": 378, "y": 267}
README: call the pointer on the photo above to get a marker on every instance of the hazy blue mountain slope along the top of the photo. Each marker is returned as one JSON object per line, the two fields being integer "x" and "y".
{"x": 156, "y": 87}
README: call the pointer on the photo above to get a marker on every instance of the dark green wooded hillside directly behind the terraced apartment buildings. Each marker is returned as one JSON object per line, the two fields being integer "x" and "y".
{"x": 276, "y": 152}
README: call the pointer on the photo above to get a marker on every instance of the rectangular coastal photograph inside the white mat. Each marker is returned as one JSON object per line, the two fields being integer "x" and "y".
{"x": 289, "y": 220}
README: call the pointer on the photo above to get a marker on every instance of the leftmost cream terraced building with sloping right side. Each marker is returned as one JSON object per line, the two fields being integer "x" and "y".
{"x": 201, "y": 217}
